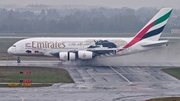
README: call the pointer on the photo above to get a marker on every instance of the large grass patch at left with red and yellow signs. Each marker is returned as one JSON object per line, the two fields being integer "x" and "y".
{"x": 12, "y": 74}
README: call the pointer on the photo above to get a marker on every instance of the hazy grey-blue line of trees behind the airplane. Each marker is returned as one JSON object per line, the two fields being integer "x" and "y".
{"x": 97, "y": 20}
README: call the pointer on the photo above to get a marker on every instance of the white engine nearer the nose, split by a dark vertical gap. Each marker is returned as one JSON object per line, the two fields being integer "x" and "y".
{"x": 66, "y": 56}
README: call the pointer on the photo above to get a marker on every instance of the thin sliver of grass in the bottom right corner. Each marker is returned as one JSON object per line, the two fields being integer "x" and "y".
{"x": 166, "y": 99}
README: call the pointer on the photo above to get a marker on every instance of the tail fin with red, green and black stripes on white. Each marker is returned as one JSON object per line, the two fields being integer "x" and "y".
{"x": 153, "y": 29}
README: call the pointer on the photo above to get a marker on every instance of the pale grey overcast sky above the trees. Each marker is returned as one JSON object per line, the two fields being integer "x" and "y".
{"x": 107, "y": 3}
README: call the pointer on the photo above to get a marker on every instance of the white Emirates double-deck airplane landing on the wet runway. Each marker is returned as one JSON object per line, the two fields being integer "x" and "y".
{"x": 71, "y": 49}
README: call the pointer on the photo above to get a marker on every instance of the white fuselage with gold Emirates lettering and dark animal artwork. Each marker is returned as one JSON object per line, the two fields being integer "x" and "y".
{"x": 46, "y": 46}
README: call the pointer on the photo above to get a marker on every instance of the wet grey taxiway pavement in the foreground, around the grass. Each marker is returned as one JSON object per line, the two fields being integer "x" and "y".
{"x": 99, "y": 83}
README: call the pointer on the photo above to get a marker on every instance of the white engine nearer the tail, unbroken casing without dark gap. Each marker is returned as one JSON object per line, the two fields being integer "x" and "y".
{"x": 85, "y": 54}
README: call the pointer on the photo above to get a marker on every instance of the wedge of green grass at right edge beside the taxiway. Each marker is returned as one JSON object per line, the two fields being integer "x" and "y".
{"x": 173, "y": 72}
